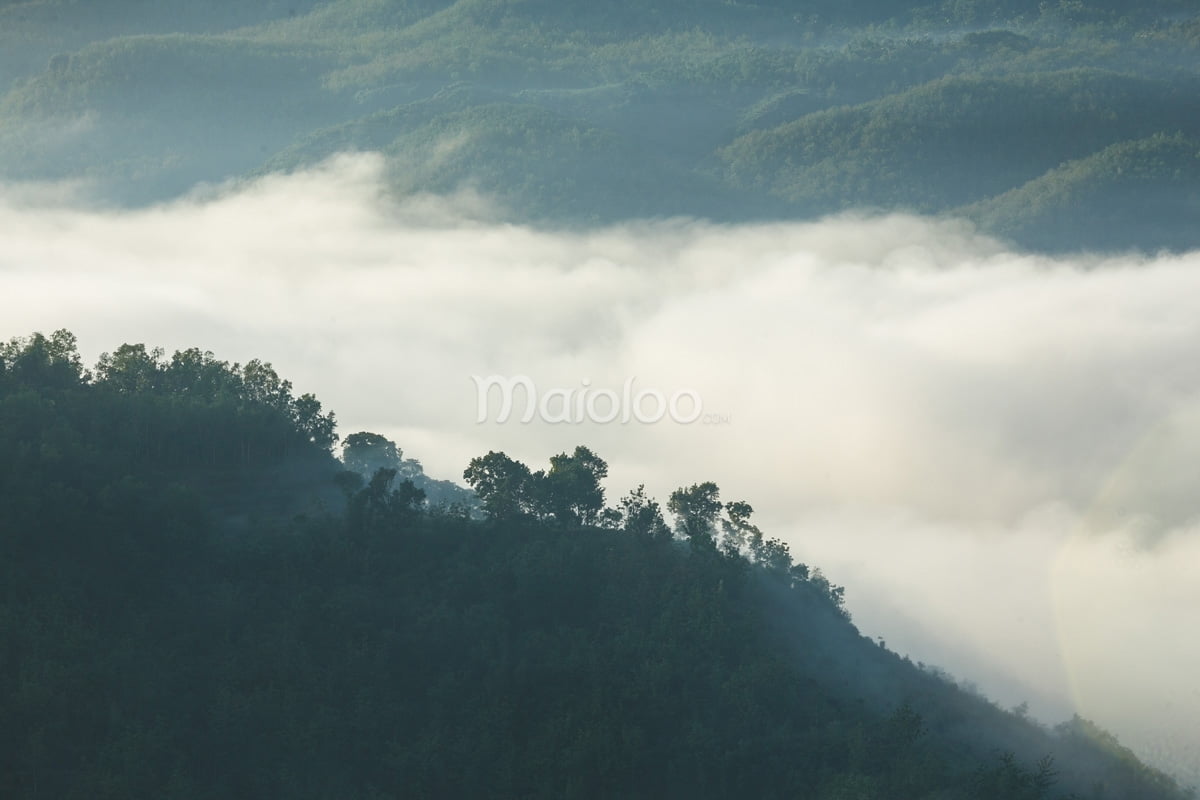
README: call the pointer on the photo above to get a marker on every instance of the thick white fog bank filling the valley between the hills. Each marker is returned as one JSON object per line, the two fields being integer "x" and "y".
{"x": 997, "y": 454}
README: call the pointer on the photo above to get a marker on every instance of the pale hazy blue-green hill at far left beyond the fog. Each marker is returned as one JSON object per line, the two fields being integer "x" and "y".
{"x": 153, "y": 116}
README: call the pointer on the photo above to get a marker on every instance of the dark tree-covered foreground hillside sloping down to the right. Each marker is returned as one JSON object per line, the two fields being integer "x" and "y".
{"x": 197, "y": 600}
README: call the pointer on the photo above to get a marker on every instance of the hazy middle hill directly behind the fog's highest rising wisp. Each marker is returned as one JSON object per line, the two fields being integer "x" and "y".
{"x": 533, "y": 160}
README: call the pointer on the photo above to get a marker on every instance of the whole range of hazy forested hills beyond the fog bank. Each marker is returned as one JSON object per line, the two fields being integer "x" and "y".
{"x": 1061, "y": 124}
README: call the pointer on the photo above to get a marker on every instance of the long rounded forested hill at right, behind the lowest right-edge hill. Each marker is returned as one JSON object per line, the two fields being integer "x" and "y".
{"x": 956, "y": 140}
